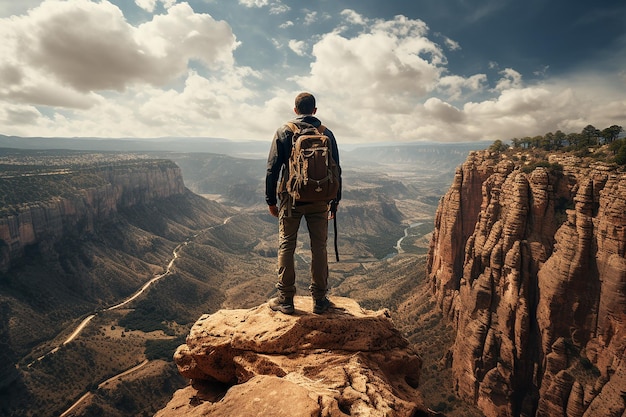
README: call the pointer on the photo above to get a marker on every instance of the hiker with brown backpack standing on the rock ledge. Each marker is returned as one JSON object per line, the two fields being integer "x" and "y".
{"x": 305, "y": 153}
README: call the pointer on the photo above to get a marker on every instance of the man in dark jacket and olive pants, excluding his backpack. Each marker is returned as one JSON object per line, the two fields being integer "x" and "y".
{"x": 289, "y": 214}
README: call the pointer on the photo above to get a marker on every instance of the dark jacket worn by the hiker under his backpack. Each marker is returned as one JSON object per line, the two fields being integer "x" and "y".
{"x": 278, "y": 159}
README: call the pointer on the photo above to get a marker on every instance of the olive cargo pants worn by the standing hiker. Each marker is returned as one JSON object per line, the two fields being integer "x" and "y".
{"x": 316, "y": 216}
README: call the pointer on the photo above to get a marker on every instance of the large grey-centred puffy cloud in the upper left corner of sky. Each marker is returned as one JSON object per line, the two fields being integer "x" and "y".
{"x": 86, "y": 47}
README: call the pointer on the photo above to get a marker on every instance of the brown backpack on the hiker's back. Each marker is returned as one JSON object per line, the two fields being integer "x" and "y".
{"x": 313, "y": 173}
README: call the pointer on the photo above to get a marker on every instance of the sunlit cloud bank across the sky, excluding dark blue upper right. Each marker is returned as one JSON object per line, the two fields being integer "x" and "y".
{"x": 85, "y": 68}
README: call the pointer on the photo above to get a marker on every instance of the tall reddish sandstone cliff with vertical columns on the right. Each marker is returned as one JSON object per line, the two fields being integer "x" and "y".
{"x": 529, "y": 265}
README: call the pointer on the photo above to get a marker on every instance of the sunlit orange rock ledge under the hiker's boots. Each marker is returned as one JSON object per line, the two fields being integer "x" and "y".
{"x": 348, "y": 361}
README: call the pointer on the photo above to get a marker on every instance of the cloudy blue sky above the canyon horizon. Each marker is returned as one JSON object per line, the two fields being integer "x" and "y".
{"x": 381, "y": 70}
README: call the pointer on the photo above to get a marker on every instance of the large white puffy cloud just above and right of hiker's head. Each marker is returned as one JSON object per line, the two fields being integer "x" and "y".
{"x": 382, "y": 69}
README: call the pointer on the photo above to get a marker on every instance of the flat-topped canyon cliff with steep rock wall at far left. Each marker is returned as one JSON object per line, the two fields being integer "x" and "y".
{"x": 95, "y": 194}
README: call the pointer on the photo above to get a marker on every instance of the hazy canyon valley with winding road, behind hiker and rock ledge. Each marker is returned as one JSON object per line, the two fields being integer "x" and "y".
{"x": 85, "y": 231}
